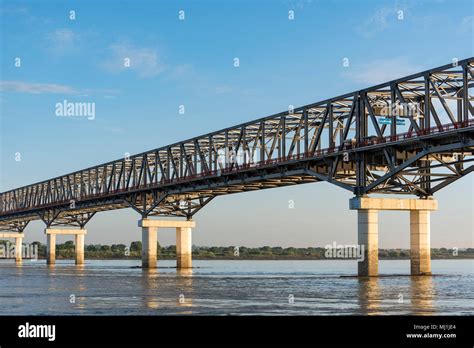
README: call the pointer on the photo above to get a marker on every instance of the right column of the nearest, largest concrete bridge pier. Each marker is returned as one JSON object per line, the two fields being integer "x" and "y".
{"x": 420, "y": 253}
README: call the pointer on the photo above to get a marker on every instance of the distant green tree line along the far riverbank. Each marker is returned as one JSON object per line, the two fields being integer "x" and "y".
{"x": 133, "y": 251}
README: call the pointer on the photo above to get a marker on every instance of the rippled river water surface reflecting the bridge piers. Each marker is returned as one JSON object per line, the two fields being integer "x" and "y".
{"x": 322, "y": 287}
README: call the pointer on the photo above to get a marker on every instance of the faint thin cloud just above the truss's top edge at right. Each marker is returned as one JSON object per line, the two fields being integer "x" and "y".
{"x": 381, "y": 70}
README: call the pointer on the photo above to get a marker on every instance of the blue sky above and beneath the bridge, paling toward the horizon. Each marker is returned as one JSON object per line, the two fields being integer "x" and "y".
{"x": 190, "y": 62}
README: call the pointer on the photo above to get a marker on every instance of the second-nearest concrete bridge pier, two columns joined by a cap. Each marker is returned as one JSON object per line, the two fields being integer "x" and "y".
{"x": 183, "y": 241}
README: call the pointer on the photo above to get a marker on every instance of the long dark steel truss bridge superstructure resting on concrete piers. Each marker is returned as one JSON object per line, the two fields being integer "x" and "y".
{"x": 413, "y": 135}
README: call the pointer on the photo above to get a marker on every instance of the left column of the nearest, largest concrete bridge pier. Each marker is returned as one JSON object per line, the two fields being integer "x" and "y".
{"x": 368, "y": 238}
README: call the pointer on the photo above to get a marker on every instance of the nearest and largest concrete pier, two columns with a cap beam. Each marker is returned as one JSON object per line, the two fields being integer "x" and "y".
{"x": 420, "y": 255}
